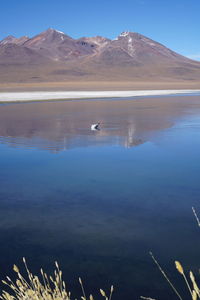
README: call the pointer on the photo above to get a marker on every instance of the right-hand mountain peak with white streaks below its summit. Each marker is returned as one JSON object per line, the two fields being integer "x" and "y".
{"x": 134, "y": 48}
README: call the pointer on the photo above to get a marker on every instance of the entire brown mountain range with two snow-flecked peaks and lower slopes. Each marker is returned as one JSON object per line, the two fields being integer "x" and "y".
{"x": 54, "y": 56}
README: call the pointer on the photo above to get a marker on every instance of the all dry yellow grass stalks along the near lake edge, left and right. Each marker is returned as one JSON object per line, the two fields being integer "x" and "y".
{"x": 54, "y": 288}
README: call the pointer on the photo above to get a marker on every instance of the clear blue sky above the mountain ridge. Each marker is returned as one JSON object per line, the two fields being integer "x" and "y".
{"x": 174, "y": 23}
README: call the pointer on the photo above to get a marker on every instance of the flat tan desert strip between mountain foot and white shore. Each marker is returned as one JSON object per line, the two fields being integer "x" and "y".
{"x": 98, "y": 85}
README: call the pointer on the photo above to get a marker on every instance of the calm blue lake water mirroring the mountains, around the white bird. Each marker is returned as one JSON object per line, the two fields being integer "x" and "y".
{"x": 98, "y": 202}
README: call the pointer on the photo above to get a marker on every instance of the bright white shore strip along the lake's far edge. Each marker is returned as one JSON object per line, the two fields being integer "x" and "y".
{"x": 61, "y": 95}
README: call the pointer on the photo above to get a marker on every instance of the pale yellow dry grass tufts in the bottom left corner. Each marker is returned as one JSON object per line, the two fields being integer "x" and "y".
{"x": 46, "y": 288}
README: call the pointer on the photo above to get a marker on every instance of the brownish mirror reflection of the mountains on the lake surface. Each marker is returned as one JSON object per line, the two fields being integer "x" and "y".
{"x": 58, "y": 126}
